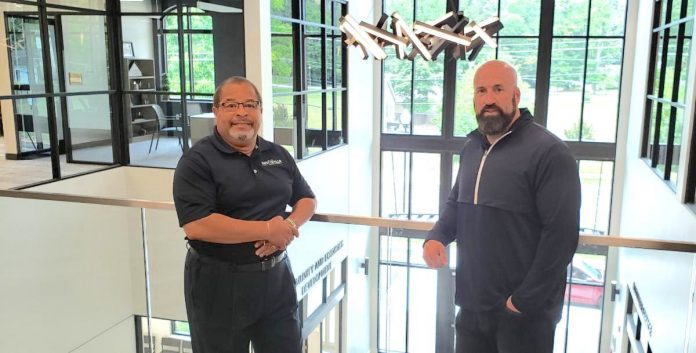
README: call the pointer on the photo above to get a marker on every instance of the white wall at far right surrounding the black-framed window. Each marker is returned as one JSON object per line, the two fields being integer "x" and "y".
{"x": 646, "y": 207}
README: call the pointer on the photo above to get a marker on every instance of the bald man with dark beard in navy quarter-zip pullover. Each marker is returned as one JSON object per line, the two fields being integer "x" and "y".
{"x": 514, "y": 213}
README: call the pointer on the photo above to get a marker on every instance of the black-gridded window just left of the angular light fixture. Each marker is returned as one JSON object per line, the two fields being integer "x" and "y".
{"x": 308, "y": 75}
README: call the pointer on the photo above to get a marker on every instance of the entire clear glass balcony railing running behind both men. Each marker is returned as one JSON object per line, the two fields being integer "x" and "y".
{"x": 84, "y": 278}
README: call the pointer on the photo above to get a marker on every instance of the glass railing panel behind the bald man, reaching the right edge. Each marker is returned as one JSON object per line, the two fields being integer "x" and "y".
{"x": 410, "y": 295}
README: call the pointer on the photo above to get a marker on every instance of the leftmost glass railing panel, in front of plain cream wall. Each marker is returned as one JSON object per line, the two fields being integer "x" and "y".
{"x": 73, "y": 276}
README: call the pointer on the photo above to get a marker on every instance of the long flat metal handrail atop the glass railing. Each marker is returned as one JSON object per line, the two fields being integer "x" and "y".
{"x": 603, "y": 240}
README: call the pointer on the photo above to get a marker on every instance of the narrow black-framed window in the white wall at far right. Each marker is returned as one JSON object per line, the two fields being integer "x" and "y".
{"x": 665, "y": 102}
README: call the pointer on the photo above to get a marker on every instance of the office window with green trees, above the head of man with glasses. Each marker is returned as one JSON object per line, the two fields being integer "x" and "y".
{"x": 198, "y": 61}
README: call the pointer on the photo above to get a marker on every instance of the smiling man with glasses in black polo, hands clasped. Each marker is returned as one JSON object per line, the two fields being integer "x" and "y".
{"x": 230, "y": 191}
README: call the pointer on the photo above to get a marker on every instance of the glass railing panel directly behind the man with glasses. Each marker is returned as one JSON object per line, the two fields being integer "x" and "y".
{"x": 317, "y": 258}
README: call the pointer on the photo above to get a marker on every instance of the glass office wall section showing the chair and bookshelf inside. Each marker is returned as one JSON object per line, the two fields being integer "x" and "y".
{"x": 171, "y": 67}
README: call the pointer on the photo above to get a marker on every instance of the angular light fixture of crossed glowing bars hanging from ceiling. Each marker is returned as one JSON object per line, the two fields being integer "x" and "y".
{"x": 428, "y": 39}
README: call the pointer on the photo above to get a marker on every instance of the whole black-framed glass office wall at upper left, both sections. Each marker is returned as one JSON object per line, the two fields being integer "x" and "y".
{"x": 133, "y": 81}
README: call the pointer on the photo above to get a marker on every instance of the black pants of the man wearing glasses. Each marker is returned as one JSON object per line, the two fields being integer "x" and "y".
{"x": 228, "y": 309}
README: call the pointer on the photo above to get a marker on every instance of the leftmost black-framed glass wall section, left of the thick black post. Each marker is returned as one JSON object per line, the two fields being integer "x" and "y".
{"x": 62, "y": 50}
